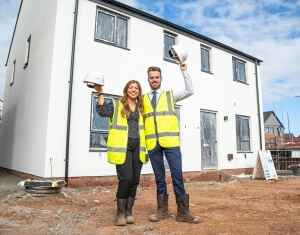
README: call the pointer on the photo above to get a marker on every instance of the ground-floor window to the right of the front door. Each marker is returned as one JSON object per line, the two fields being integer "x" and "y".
{"x": 242, "y": 133}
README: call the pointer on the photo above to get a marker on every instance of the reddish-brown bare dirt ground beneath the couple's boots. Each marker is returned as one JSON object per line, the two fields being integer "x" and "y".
{"x": 242, "y": 206}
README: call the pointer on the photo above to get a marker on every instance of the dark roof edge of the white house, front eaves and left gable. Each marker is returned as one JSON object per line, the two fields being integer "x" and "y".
{"x": 158, "y": 21}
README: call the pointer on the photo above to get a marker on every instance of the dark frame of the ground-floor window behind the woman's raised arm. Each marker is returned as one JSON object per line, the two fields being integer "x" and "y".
{"x": 94, "y": 99}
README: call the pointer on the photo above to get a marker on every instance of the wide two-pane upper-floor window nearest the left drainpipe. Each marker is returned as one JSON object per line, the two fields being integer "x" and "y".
{"x": 111, "y": 28}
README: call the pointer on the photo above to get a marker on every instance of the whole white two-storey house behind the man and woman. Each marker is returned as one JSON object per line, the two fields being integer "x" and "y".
{"x": 49, "y": 126}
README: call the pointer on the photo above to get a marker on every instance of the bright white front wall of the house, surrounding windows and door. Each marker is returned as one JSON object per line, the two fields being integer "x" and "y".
{"x": 215, "y": 92}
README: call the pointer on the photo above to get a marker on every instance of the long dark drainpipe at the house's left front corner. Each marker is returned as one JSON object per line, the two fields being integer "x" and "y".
{"x": 70, "y": 94}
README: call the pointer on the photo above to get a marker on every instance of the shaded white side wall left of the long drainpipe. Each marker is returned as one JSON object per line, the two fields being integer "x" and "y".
{"x": 34, "y": 114}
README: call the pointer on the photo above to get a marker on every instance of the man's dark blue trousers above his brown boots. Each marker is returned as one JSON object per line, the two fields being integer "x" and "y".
{"x": 173, "y": 156}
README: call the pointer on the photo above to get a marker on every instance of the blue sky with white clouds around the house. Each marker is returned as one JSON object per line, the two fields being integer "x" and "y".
{"x": 268, "y": 30}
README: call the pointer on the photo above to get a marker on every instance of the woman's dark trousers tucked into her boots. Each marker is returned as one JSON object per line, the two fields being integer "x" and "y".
{"x": 129, "y": 172}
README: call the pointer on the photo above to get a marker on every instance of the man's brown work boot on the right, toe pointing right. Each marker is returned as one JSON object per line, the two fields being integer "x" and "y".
{"x": 183, "y": 212}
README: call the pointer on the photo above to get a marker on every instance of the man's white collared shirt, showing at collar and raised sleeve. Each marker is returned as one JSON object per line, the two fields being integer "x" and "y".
{"x": 180, "y": 94}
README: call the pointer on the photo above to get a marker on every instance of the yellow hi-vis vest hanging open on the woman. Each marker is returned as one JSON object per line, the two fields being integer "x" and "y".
{"x": 118, "y": 136}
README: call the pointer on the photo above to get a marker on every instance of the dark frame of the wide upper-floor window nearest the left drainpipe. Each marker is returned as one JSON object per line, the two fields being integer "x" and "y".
{"x": 116, "y": 16}
